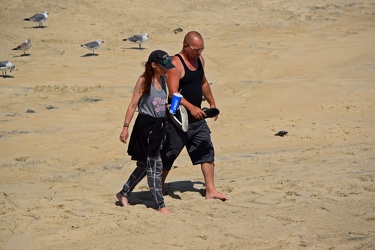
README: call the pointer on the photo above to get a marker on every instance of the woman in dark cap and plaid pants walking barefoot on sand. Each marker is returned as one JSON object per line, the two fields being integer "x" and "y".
{"x": 148, "y": 132}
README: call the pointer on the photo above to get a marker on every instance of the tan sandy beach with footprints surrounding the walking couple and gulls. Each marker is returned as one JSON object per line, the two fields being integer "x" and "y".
{"x": 304, "y": 67}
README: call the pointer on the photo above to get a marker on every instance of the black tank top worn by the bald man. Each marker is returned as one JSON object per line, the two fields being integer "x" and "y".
{"x": 191, "y": 84}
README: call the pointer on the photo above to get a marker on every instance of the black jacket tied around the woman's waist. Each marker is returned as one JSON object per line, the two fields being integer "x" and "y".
{"x": 147, "y": 135}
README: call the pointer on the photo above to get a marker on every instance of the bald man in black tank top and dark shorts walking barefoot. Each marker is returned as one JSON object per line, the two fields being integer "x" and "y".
{"x": 188, "y": 78}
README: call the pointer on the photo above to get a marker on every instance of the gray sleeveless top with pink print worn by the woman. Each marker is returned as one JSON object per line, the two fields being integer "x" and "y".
{"x": 154, "y": 104}
